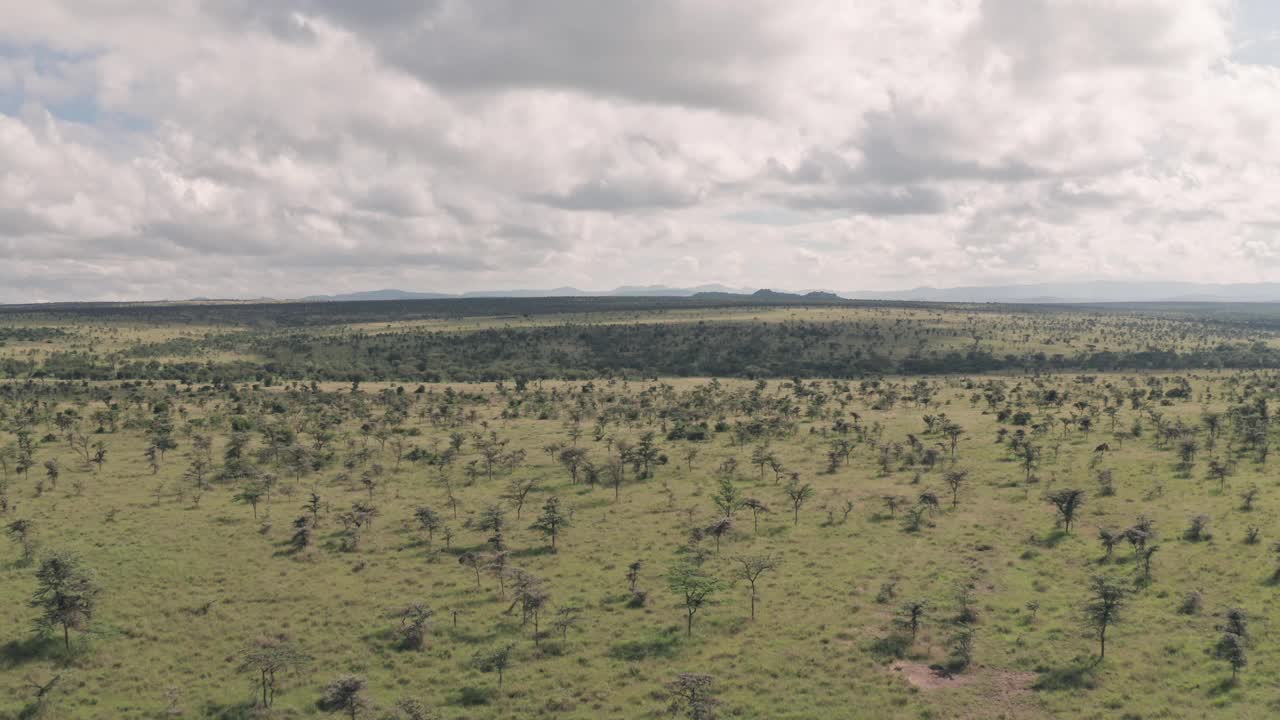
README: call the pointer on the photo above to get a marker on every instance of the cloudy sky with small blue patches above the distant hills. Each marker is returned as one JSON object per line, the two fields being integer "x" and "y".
{"x": 173, "y": 149}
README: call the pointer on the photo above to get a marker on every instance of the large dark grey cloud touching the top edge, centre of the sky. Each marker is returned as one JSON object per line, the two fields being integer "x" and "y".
{"x": 670, "y": 52}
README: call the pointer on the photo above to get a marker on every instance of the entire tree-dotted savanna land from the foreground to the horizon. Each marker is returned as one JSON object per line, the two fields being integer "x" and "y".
{"x": 533, "y": 509}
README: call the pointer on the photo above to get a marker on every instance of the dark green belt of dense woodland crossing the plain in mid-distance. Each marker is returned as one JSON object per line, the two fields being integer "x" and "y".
{"x": 572, "y": 352}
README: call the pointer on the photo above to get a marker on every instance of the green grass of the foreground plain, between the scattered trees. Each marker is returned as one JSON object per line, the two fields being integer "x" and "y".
{"x": 822, "y": 645}
